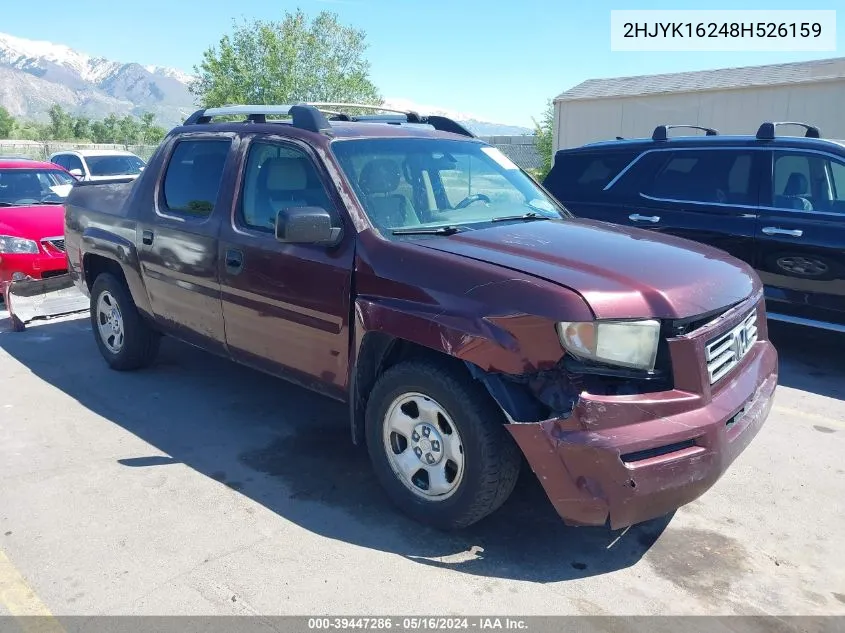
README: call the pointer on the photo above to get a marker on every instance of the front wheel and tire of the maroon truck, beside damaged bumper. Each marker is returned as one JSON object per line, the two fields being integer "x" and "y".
{"x": 490, "y": 458}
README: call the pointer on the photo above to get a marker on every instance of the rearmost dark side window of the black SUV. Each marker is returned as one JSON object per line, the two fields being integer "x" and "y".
{"x": 577, "y": 176}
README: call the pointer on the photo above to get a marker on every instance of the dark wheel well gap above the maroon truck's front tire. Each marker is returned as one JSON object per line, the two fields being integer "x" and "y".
{"x": 379, "y": 352}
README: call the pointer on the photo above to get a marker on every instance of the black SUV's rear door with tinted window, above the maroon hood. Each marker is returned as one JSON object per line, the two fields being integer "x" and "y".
{"x": 706, "y": 195}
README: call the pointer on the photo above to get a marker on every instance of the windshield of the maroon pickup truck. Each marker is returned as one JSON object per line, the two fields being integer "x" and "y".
{"x": 413, "y": 183}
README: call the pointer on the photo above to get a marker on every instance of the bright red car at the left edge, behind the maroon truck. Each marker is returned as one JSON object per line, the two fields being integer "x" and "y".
{"x": 32, "y": 244}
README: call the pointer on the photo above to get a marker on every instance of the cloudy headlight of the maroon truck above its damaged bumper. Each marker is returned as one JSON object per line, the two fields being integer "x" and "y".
{"x": 624, "y": 343}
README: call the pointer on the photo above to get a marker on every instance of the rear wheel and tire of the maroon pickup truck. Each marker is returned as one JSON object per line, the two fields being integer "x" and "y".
{"x": 136, "y": 344}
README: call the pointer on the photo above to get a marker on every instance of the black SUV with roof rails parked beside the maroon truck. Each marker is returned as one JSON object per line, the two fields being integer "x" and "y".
{"x": 777, "y": 202}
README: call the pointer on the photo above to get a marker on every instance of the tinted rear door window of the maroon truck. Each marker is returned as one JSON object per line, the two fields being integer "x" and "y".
{"x": 193, "y": 176}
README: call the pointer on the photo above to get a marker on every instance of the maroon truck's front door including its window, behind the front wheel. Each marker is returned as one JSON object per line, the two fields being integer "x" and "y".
{"x": 286, "y": 306}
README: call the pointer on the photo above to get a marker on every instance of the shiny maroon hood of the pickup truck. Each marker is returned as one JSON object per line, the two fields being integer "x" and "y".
{"x": 621, "y": 272}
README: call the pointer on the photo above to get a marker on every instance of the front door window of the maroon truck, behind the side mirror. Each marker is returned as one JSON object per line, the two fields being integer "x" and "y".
{"x": 277, "y": 177}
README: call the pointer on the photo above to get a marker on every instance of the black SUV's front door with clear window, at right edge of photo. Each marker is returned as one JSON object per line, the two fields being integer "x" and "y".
{"x": 801, "y": 235}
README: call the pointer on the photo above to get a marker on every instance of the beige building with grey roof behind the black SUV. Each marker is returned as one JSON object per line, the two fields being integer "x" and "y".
{"x": 732, "y": 100}
